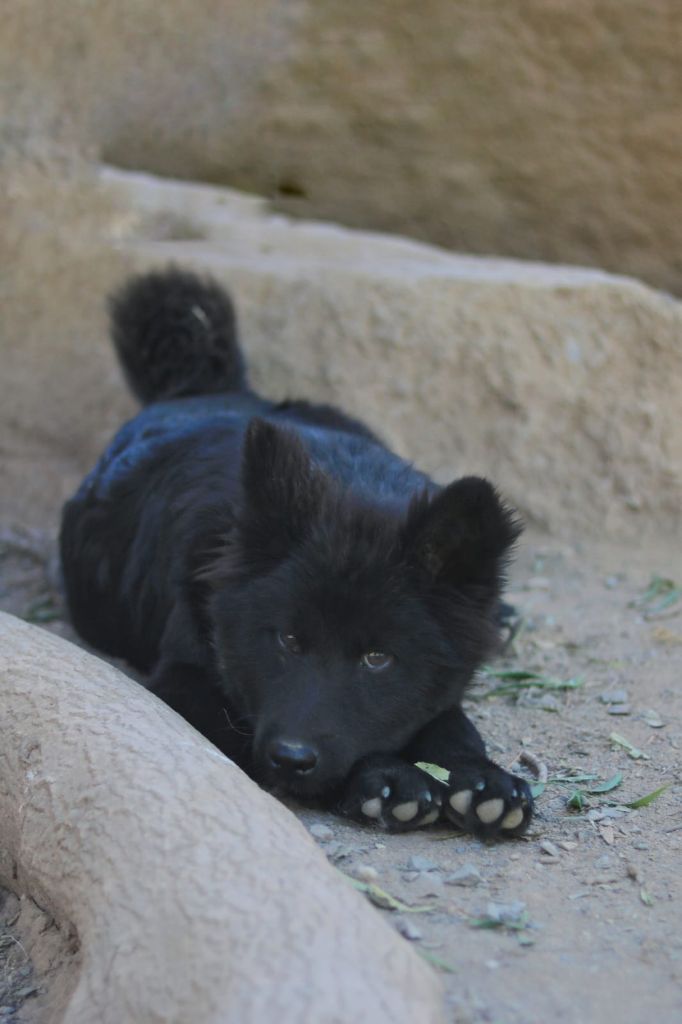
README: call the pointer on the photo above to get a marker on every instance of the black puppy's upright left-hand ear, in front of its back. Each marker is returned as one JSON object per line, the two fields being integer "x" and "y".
{"x": 282, "y": 492}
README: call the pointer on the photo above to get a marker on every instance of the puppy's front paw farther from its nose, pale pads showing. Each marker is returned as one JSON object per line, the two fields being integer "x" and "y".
{"x": 489, "y": 801}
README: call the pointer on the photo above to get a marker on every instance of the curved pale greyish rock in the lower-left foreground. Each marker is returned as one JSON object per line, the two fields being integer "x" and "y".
{"x": 187, "y": 893}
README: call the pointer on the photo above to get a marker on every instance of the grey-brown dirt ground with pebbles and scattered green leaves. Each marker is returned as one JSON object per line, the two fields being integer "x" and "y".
{"x": 579, "y": 922}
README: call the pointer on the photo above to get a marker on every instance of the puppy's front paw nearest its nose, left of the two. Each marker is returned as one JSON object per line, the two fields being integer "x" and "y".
{"x": 393, "y": 794}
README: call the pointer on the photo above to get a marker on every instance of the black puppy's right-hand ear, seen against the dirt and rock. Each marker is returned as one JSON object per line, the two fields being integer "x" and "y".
{"x": 463, "y": 537}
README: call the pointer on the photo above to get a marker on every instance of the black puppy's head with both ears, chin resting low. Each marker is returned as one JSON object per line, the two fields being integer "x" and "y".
{"x": 342, "y": 628}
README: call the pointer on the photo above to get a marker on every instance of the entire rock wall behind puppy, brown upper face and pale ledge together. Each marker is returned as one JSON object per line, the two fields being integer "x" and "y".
{"x": 543, "y": 130}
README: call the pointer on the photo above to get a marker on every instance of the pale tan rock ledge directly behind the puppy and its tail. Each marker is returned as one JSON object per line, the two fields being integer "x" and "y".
{"x": 565, "y": 386}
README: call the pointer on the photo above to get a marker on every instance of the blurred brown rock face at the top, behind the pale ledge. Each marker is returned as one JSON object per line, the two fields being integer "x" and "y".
{"x": 541, "y": 130}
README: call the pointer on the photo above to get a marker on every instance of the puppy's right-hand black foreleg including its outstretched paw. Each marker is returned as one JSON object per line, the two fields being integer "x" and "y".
{"x": 482, "y": 798}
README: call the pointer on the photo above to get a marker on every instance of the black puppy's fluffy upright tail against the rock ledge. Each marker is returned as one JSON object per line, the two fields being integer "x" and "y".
{"x": 176, "y": 334}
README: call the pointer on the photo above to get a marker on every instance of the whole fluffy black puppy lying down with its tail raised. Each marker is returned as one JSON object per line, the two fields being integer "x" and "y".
{"x": 305, "y": 598}
